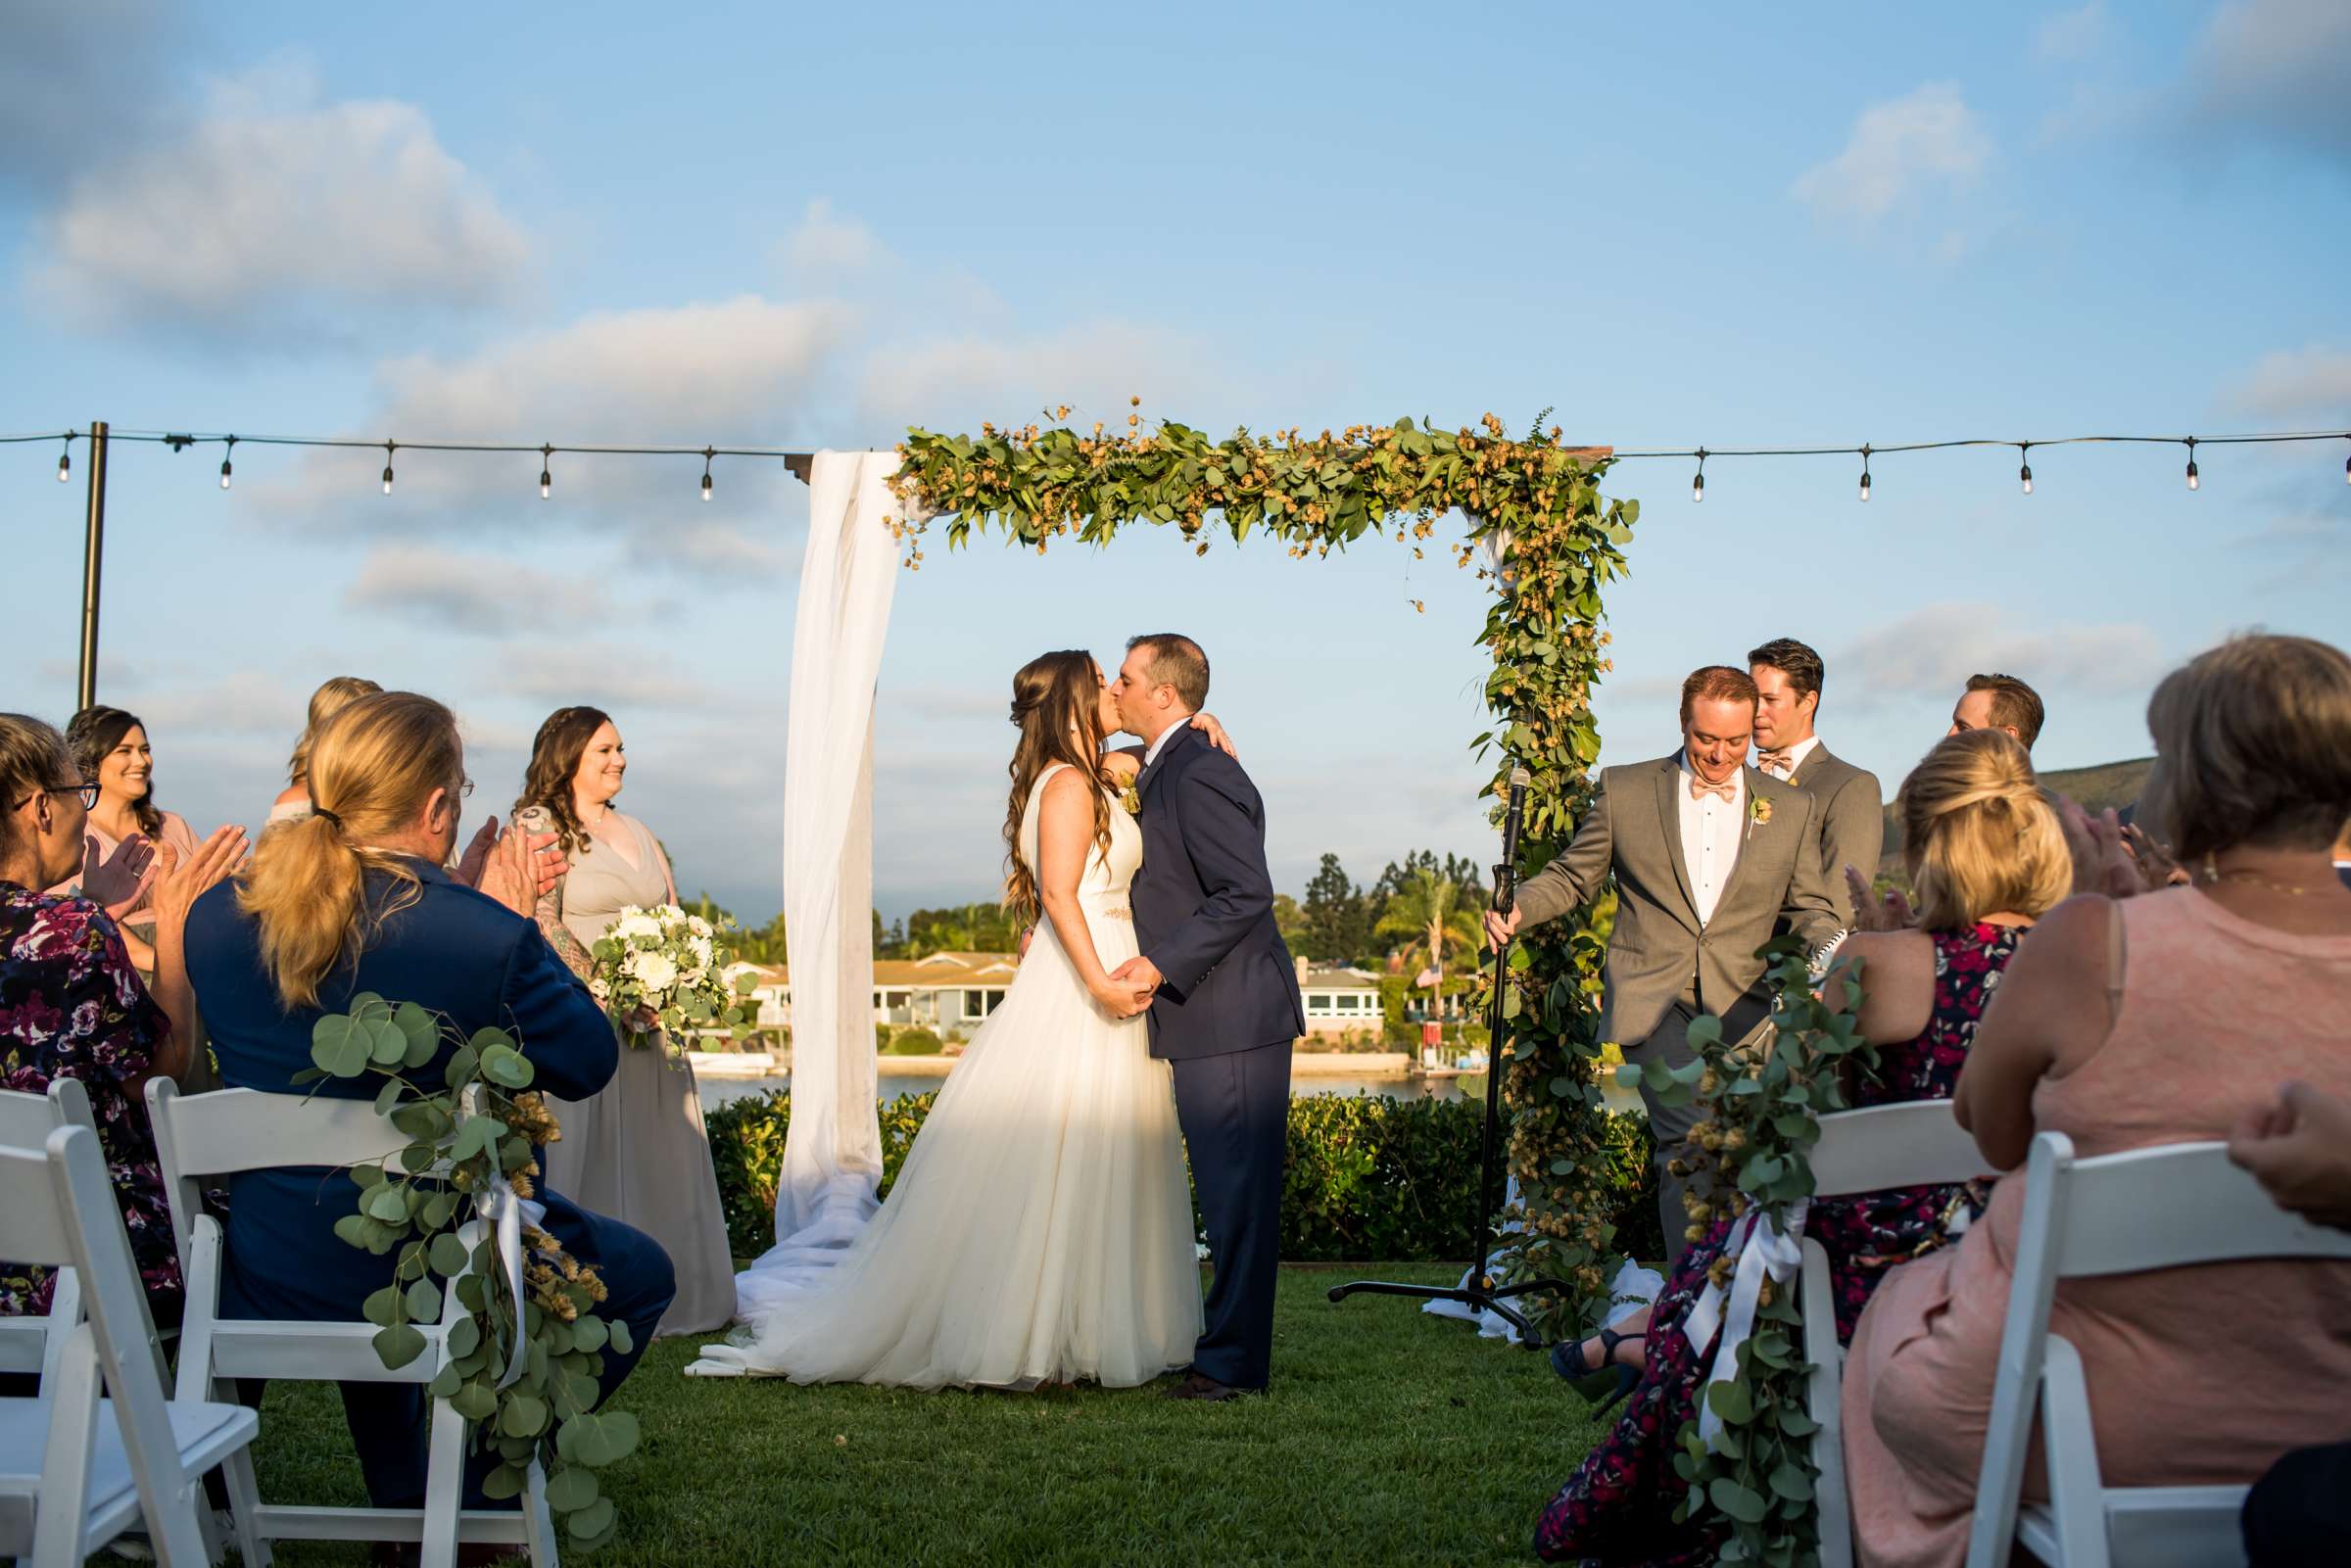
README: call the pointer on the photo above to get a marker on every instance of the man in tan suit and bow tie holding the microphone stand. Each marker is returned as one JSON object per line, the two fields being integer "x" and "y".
{"x": 1708, "y": 859}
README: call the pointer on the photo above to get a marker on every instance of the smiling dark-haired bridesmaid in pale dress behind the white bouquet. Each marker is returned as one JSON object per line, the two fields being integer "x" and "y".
{"x": 636, "y": 1151}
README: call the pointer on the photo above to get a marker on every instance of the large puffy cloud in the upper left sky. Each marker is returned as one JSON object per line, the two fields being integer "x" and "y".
{"x": 276, "y": 208}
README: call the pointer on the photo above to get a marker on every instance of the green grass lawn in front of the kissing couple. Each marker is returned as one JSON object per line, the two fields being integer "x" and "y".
{"x": 1391, "y": 1438}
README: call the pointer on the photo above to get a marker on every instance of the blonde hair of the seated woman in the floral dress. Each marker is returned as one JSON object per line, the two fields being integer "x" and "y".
{"x": 1981, "y": 836}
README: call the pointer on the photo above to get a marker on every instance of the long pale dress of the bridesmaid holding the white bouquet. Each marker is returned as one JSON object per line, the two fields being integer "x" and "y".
{"x": 636, "y": 1151}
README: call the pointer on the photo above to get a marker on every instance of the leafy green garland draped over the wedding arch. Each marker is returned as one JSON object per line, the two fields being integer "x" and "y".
{"x": 1555, "y": 542}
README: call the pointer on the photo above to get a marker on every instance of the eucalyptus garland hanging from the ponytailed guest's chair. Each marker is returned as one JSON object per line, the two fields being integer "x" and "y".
{"x": 471, "y": 1137}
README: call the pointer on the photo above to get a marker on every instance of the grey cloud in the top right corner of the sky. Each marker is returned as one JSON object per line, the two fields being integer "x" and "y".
{"x": 2275, "y": 72}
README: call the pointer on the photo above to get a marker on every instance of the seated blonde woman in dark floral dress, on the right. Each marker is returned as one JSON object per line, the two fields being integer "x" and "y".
{"x": 1985, "y": 859}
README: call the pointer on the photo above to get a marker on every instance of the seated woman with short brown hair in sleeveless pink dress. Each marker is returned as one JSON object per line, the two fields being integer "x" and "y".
{"x": 2138, "y": 1019}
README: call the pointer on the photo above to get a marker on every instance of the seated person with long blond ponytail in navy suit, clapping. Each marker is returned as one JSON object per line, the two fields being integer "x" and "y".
{"x": 354, "y": 899}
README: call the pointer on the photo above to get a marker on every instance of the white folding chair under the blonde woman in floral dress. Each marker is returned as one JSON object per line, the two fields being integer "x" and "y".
{"x": 1915, "y": 1144}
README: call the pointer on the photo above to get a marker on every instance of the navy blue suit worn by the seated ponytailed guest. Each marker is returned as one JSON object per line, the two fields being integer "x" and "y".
{"x": 481, "y": 965}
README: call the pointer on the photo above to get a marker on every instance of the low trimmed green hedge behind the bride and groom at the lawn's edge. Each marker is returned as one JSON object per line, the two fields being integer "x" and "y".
{"x": 1367, "y": 1179}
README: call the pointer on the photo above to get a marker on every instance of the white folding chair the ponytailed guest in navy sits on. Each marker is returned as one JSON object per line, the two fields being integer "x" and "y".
{"x": 241, "y": 1130}
